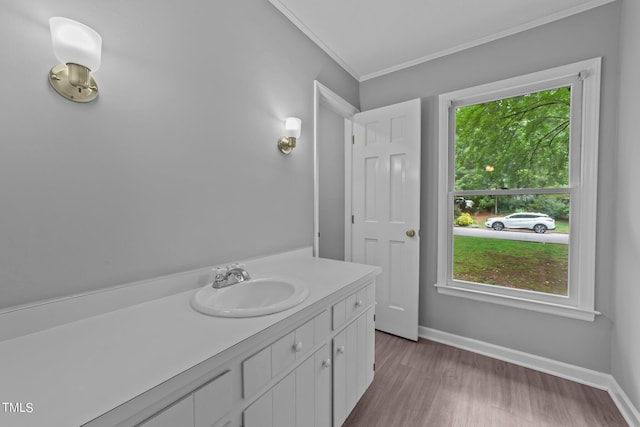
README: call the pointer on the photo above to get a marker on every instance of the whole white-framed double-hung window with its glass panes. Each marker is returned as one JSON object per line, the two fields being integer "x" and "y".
{"x": 517, "y": 193}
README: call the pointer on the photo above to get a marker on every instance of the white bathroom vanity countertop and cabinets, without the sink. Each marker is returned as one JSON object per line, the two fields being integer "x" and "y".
{"x": 161, "y": 363}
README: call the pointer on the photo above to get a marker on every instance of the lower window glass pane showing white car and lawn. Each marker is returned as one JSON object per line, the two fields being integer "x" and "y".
{"x": 528, "y": 252}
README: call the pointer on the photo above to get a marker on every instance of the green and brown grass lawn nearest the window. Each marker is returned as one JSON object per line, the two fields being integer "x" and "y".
{"x": 541, "y": 267}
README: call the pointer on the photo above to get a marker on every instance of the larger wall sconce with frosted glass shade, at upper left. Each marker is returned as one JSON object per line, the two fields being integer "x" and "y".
{"x": 78, "y": 48}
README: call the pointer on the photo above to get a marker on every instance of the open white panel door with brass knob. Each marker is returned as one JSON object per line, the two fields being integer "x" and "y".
{"x": 386, "y": 210}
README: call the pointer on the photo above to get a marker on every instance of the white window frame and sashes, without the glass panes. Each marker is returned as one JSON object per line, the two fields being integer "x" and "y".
{"x": 583, "y": 181}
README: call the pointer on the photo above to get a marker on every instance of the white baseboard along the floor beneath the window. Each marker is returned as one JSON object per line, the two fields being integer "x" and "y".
{"x": 578, "y": 374}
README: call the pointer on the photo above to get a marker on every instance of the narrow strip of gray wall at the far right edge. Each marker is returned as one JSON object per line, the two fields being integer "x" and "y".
{"x": 626, "y": 333}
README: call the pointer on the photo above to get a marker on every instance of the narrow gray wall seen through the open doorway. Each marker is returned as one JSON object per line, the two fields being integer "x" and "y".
{"x": 331, "y": 184}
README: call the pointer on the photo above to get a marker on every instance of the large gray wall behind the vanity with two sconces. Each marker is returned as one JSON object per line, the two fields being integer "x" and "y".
{"x": 175, "y": 165}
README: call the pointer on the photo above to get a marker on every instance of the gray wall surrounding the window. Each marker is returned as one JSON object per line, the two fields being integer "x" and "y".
{"x": 590, "y": 34}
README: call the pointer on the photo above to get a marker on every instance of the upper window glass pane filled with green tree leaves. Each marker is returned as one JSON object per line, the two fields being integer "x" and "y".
{"x": 519, "y": 142}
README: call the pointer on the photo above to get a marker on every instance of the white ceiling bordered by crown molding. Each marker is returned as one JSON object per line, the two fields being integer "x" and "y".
{"x": 370, "y": 38}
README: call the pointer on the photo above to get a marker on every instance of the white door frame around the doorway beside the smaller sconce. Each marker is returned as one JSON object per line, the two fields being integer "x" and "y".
{"x": 322, "y": 95}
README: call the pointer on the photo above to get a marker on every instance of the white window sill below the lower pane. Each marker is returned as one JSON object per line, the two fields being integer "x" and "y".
{"x": 526, "y": 304}
